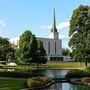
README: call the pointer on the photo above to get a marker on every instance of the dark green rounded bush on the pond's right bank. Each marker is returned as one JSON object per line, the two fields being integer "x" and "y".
{"x": 75, "y": 73}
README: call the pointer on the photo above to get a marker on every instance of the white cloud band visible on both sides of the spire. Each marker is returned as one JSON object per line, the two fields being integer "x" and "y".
{"x": 60, "y": 26}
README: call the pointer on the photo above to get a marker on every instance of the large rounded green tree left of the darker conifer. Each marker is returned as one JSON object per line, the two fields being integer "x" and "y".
{"x": 27, "y": 48}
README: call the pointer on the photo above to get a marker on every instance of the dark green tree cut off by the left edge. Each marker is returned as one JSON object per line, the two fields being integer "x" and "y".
{"x": 6, "y": 50}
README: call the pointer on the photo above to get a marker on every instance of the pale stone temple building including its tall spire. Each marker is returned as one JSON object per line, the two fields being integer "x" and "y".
{"x": 52, "y": 44}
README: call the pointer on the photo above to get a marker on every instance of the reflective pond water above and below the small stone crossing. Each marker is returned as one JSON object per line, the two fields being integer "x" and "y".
{"x": 62, "y": 86}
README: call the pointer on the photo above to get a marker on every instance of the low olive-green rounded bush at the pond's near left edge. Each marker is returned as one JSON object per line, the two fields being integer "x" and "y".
{"x": 37, "y": 81}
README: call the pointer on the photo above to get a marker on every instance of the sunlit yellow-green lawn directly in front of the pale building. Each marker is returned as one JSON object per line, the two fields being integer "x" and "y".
{"x": 64, "y": 65}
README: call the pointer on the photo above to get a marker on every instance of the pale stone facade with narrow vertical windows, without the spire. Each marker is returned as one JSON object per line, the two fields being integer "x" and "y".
{"x": 53, "y": 48}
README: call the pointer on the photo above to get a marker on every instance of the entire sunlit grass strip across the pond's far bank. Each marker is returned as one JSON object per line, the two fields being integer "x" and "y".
{"x": 50, "y": 65}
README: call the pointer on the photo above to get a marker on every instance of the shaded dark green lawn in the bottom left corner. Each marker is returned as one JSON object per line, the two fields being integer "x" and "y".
{"x": 11, "y": 83}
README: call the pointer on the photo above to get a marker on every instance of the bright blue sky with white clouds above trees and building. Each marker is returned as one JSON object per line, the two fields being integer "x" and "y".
{"x": 16, "y": 16}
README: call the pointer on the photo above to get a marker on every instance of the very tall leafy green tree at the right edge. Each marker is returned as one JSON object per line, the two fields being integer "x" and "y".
{"x": 80, "y": 33}
